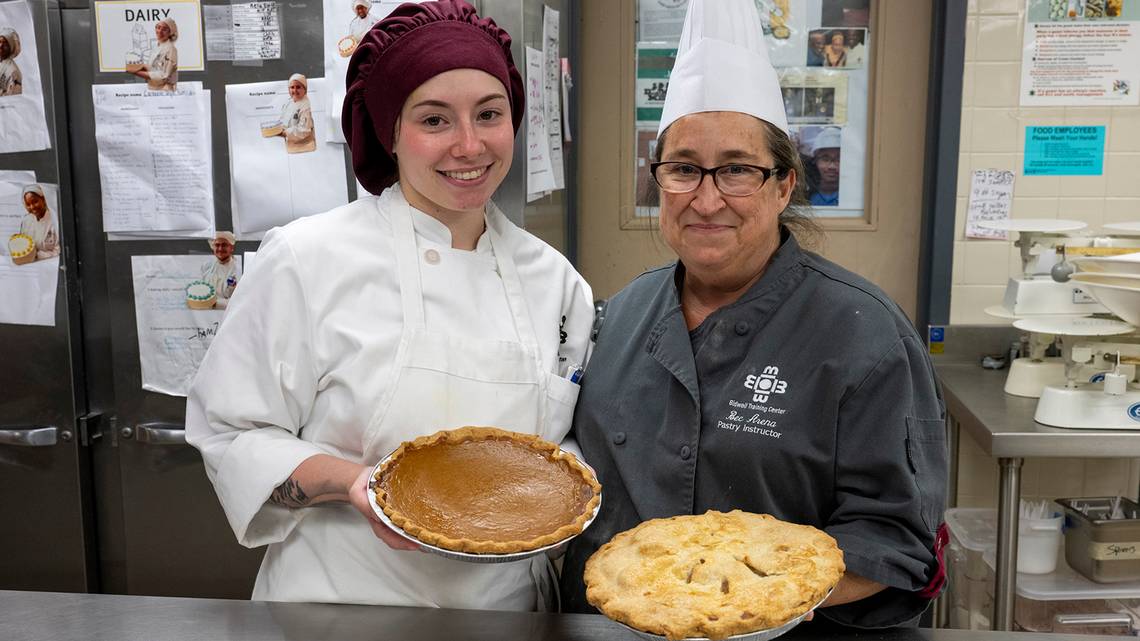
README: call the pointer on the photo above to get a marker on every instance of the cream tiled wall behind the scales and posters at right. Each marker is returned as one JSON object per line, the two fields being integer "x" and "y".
{"x": 994, "y": 137}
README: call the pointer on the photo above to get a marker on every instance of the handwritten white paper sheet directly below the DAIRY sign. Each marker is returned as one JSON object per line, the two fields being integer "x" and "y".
{"x": 154, "y": 159}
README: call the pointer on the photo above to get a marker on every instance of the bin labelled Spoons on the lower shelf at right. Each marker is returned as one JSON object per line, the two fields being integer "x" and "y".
{"x": 1104, "y": 550}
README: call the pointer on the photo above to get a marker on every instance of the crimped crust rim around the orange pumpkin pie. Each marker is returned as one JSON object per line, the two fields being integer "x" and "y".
{"x": 473, "y": 433}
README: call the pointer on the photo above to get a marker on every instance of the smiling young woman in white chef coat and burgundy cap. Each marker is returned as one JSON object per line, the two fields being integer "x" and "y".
{"x": 419, "y": 310}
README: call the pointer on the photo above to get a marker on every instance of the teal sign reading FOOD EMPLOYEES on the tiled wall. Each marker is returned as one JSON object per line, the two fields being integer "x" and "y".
{"x": 1064, "y": 151}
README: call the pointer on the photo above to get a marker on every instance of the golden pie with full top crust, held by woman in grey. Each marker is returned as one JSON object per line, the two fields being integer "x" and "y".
{"x": 713, "y": 575}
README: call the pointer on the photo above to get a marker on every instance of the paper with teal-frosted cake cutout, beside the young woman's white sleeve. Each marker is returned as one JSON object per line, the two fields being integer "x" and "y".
{"x": 178, "y": 310}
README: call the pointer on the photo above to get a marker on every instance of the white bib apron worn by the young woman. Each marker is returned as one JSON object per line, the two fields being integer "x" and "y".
{"x": 439, "y": 383}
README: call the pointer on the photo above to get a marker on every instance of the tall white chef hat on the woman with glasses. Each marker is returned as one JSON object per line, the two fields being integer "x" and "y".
{"x": 723, "y": 66}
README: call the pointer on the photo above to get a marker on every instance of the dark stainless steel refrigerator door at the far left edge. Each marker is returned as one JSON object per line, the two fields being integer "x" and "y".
{"x": 45, "y": 463}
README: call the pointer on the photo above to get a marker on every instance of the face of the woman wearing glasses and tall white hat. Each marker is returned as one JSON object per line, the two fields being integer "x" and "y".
{"x": 723, "y": 239}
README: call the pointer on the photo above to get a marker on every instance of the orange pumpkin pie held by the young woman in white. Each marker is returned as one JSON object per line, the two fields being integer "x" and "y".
{"x": 486, "y": 491}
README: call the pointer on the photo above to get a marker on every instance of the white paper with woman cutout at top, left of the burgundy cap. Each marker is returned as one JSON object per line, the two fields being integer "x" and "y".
{"x": 282, "y": 163}
